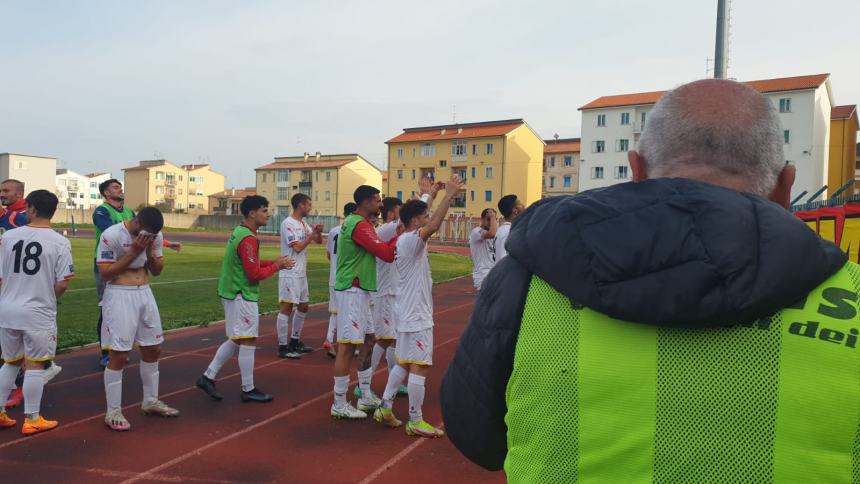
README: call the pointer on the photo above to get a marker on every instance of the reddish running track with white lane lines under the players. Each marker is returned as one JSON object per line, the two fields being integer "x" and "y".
{"x": 292, "y": 439}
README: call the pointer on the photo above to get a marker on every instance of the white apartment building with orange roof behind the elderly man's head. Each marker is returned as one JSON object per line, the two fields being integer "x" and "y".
{"x": 612, "y": 125}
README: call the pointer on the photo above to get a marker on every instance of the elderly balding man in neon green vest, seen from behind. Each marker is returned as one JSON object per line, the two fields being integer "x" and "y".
{"x": 700, "y": 332}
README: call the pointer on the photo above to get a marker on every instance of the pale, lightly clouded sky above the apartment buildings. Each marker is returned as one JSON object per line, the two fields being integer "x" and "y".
{"x": 102, "y": 85}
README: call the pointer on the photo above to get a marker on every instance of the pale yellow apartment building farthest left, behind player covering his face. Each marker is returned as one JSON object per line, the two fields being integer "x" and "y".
{"x": 170, "y": 187}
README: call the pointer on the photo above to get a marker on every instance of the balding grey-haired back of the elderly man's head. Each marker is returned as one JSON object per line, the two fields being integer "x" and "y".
{"x": 742, "y": 139}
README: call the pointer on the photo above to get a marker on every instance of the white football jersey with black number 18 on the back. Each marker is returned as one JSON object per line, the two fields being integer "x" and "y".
{"x": 32, "y": 260}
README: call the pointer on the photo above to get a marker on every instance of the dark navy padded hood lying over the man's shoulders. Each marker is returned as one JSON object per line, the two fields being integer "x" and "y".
{"x": 673, "y": 252}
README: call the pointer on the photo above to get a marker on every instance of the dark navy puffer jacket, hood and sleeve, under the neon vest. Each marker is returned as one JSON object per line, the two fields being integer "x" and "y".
{"x": 667, "y": 252}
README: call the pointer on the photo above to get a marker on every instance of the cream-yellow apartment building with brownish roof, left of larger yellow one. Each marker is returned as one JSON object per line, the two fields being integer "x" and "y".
{"x": 329, "y": 180}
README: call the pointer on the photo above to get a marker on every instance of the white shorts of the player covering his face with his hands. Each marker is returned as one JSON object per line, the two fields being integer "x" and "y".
{"x": 130, "y": 316}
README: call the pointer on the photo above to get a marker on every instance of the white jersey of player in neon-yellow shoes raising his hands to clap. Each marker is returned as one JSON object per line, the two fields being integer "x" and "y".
{"x": 414, "y": 303}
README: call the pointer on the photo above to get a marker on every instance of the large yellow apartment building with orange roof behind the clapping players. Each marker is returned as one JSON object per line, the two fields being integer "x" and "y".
{"x": 495, "y": 158}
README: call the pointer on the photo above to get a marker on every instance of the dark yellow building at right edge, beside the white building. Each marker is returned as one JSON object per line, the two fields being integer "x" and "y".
{"x": 842, "y": 164}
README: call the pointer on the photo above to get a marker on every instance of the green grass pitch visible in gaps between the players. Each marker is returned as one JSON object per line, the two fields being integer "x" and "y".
{"x": 185, "y": 291}
